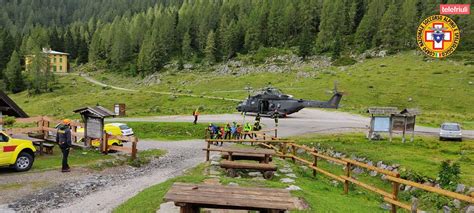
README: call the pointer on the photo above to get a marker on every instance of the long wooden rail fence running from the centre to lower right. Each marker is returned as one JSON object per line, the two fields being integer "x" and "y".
{"x": 288, "y": 149}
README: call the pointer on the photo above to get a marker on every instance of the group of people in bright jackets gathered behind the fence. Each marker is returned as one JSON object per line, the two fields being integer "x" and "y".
{"x": 234, "y": 131}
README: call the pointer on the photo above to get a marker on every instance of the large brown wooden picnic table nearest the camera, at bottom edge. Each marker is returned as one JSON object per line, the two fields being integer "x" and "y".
{"x": 191, "y": 197}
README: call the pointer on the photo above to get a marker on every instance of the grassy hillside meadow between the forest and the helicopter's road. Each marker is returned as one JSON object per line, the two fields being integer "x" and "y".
{"x": 442, "y": 89}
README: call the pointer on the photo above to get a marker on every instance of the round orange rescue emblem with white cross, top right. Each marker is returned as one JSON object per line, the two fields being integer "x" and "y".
{"x": 438, "y": 36}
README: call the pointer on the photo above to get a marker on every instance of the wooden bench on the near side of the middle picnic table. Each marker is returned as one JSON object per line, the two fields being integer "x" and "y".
{"x": 267, "y": 169}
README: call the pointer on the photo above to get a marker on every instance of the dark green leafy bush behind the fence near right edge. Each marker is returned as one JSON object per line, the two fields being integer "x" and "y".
{"x": 448, "y": 176}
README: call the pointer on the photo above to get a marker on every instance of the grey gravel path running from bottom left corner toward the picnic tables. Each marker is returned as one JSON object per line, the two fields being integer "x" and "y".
{"x": 104, "y": 192}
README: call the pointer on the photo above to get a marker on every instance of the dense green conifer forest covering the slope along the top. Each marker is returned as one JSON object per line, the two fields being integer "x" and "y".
{"x": 138, "y": 37}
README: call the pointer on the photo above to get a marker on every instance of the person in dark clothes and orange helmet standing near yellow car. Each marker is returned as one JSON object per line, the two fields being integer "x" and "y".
{"x": 63, "y": 138}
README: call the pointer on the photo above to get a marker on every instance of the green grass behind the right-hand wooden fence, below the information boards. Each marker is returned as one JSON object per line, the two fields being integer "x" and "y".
{"x": 423, "y": 156}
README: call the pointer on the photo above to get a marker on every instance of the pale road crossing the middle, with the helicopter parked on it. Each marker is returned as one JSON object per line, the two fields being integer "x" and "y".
{"x": 304, "y": 122}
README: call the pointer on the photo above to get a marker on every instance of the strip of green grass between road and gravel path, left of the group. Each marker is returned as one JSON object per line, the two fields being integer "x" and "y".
{"x": 167, "y": 131}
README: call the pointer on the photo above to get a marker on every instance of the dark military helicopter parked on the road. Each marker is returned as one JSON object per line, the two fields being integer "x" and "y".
{"x": 271, "y": 101}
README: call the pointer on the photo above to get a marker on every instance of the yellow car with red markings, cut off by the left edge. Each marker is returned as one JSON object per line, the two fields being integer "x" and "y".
{"x": 17, "y": 153}
